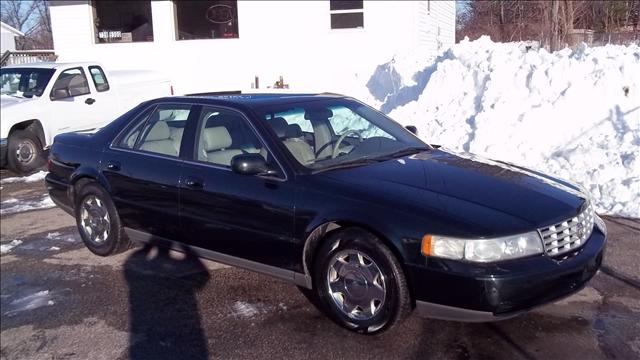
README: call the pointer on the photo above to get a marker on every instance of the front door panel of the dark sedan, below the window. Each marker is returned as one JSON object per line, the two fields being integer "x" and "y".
{"x": 243, "y": 216}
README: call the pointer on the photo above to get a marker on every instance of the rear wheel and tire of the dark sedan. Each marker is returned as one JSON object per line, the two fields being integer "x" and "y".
{"x": 93, "y": 206}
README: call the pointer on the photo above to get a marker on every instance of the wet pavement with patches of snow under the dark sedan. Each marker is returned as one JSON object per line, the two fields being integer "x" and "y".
{"x": 59, "y": 301}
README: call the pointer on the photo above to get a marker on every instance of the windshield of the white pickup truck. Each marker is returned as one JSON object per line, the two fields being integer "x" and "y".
{"x": 24, "y": 82}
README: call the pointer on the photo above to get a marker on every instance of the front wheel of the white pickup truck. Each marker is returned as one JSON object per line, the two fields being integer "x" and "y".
{"x": 24, "y": 152}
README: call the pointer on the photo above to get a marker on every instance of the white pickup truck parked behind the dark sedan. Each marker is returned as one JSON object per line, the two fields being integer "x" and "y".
{"x": 41, "y": 100}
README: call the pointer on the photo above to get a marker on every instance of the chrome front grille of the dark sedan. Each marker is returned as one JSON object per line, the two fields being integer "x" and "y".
{"x": 568, "y": 235}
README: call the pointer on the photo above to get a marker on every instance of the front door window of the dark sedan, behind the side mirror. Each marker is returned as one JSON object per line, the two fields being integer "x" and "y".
{"x": 224, "y": 134}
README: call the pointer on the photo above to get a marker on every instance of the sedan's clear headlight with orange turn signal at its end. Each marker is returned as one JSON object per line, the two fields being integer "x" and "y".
{"x": 483, "y": 250}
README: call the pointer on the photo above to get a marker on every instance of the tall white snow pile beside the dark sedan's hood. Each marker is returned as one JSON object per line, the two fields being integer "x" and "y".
{"x": 571, "y": 114}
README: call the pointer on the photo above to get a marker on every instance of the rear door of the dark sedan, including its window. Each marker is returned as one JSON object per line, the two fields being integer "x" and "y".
{"x": 143, "y": 167}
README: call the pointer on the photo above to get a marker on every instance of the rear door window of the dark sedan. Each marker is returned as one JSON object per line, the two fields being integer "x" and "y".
{"x": 160, "y": 132}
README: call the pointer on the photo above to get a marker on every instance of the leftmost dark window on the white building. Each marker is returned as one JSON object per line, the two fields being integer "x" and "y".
{"x": 118, "y": 21}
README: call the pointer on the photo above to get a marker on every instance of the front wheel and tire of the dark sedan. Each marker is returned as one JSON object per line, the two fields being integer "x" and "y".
{"x": 371, "y": 269}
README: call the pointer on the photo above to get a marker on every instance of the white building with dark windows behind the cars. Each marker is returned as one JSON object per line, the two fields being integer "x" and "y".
{"x": 213, "y": 45}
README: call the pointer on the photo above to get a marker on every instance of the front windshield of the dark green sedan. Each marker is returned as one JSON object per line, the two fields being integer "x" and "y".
{"x": 334, "y": 133}
